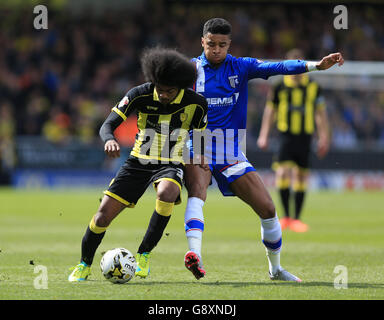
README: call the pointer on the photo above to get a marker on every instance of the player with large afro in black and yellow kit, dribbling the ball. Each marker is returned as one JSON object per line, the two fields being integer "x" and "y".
{"x": 163, "y": 106}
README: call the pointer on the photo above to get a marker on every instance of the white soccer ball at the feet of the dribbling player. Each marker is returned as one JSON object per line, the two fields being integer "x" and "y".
{"x": 118, "y": 265}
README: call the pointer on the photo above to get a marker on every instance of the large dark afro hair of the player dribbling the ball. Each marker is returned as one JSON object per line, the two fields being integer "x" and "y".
{"x": 168, "y": 67}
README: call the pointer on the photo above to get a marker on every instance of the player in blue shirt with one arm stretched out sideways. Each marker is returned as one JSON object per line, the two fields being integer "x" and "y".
{"x": 223, "y": 80}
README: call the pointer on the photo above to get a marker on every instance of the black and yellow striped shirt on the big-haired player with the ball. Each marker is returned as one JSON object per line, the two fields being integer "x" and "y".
{"x": 163, "y": 129}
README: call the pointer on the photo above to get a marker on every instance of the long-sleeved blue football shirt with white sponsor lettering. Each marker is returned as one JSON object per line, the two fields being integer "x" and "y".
{"x": 226, "y": 89}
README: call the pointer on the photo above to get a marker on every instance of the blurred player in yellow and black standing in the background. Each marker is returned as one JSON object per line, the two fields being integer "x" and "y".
{"x": 298, "y": 107}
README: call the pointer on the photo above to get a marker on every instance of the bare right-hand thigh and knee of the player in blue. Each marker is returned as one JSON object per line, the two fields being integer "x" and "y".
{"x": 251, "y": 189}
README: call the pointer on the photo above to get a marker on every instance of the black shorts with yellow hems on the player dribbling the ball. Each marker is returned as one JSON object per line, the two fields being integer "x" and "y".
{"x": 133, "y": 179}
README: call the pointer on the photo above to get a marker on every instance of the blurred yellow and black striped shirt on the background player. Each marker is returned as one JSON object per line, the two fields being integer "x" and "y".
{"x": 295, "y": 105}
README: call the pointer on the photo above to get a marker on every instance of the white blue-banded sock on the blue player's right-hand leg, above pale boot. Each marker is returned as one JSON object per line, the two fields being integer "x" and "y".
{"x": 271, "y": 236}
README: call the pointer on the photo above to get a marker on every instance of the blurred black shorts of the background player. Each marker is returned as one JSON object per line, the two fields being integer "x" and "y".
{"x": 294, "y": 151}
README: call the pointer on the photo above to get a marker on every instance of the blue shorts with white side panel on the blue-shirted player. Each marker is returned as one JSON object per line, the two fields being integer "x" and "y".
{"x": 227, "y": 173}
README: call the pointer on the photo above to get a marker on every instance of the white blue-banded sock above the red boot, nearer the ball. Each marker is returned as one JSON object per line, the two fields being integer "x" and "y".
{"x": 194, "y": 224}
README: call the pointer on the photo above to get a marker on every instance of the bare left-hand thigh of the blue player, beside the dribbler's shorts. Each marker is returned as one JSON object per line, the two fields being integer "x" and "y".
{"x": 197, "y": 181}
